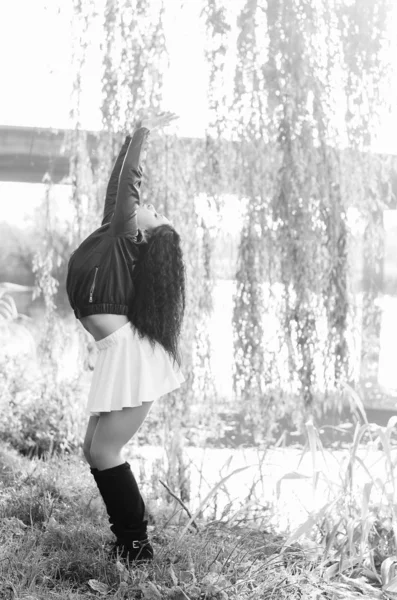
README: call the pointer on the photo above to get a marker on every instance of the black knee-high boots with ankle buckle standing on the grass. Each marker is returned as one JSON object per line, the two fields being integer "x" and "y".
{"x": 126, "y": 510}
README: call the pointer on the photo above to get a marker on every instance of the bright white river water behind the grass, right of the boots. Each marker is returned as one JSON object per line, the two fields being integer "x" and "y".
{"x": 260, "y": 488}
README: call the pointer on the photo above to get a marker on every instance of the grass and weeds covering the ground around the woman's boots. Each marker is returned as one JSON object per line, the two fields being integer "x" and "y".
{"x": 54, "y": 531}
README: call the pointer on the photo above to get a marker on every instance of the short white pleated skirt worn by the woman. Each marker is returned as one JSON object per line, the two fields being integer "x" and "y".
{"x": 128, "y": 372}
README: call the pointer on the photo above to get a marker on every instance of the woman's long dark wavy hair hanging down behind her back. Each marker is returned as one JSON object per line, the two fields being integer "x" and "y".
{"x": 159, "y": 279}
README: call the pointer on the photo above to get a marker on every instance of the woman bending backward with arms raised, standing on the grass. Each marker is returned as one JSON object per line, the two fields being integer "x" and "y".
{"x": 126, "y": 285}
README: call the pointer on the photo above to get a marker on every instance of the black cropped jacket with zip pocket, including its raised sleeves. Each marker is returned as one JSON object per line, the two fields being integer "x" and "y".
{"x": 99, "y": 278}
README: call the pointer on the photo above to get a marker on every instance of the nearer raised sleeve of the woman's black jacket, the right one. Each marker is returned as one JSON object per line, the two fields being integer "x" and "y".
{"x": 125, "y": 214}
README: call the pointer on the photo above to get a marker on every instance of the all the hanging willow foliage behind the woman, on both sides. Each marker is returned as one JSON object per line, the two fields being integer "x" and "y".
{"x": 291, "y": 138}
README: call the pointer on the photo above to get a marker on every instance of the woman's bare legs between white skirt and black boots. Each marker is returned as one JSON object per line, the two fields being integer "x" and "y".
{"x": 113, "y": 430}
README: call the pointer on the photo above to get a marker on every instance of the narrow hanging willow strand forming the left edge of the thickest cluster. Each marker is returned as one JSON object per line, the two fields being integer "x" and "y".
{"x": 253, "y": 363}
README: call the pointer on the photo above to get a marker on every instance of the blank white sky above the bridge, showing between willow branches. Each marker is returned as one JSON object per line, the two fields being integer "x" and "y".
{"x": 37, "y": 76}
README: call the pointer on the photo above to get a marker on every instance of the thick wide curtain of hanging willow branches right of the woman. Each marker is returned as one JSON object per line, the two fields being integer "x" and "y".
{"x": 285, "y": 96}
